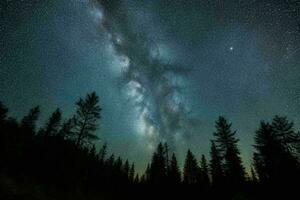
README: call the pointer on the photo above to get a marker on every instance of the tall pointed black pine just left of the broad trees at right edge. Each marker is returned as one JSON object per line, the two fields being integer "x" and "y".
{"x": 227, "y": 143}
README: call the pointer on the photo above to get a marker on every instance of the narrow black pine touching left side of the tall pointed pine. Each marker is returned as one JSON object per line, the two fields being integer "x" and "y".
{"x": 216, "y": 169}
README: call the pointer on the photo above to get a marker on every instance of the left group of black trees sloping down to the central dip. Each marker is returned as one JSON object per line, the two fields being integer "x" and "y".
{"x": 60, "y": 155}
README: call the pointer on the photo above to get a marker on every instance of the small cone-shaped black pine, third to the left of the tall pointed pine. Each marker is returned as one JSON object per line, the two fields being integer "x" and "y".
{"x": 191, "y": 169}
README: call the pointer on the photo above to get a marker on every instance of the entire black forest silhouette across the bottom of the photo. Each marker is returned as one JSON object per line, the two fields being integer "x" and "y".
{"x": 60, "y": 161}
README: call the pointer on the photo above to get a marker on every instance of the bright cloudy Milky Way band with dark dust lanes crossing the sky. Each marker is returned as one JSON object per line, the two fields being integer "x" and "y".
{"x": 153, "y": 85}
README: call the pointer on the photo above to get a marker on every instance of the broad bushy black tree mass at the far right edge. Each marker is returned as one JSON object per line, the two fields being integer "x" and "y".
{"x": 275, "y": 160}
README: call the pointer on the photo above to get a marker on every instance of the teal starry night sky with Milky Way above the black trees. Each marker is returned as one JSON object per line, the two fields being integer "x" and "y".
{"x": 164, "y": 70}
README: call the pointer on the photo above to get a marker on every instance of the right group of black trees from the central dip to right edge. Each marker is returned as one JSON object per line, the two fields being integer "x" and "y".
{"x": 275, "y": 169}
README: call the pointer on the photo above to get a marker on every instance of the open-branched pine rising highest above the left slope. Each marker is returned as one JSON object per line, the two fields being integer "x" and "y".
{"x": 85, "y": 120}
